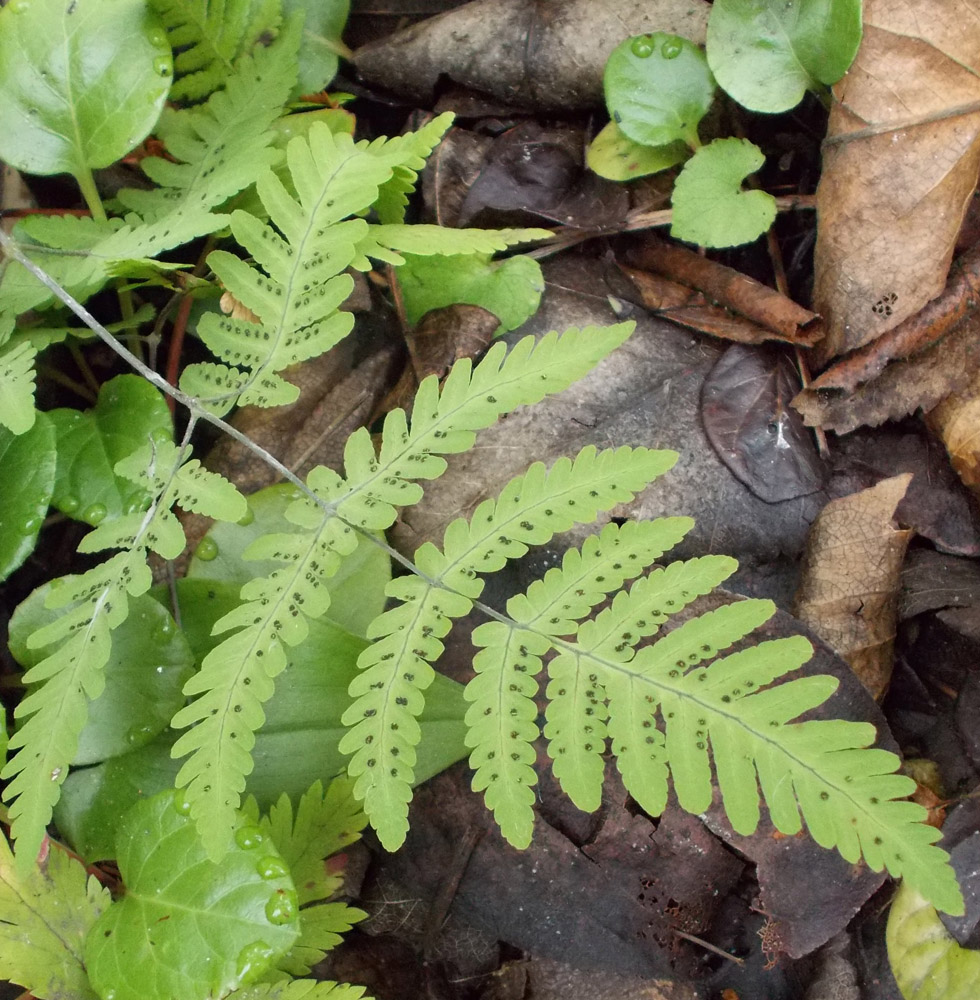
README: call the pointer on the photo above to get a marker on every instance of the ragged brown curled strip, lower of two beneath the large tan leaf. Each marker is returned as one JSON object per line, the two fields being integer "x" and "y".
{"x": 902, "y": 388}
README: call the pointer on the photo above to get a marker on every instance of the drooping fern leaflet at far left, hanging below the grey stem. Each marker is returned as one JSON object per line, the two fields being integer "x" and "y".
{"x": 95, "y": 603}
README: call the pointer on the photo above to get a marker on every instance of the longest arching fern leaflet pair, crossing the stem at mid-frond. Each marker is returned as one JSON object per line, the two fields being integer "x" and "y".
{"x": 237, "y": 676}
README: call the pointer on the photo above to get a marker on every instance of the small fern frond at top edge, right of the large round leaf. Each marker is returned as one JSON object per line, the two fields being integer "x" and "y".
{"x": 209, "y": 36}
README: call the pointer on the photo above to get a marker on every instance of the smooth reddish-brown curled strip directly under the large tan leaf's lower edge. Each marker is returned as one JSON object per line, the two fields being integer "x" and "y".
{"x": 928, "y": 326}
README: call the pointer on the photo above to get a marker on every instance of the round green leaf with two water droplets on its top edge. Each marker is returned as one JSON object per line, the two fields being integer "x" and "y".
{"x": 658, "y": 88}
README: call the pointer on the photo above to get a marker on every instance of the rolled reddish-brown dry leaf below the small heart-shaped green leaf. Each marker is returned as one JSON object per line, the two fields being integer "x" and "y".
{"x": 729, "y": 288}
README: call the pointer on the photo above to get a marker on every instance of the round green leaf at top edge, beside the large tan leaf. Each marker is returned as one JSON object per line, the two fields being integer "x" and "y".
{"x": 767, "y": 53}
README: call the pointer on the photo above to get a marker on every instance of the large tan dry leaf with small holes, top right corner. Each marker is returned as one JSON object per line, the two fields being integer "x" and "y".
{"x": 899, "y": 170}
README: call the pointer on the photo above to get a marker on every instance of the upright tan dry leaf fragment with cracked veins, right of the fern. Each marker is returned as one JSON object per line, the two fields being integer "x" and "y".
{"x": 851, "y": 570}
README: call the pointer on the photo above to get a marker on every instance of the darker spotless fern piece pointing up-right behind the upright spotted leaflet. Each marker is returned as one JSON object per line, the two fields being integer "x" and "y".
{"x": 224, "y": 145}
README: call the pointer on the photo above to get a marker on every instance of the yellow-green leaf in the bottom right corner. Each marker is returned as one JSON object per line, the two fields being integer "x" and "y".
{"x": 927, "y": 961}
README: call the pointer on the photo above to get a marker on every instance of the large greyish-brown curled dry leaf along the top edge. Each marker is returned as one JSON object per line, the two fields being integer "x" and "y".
{"x": 546, "y": 56}
